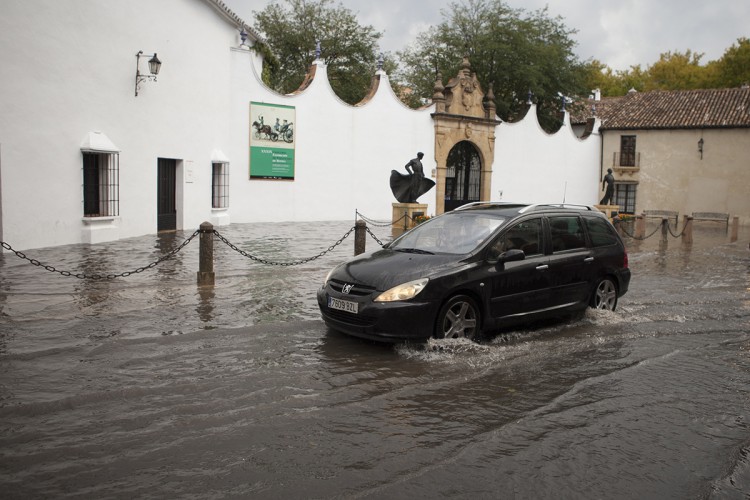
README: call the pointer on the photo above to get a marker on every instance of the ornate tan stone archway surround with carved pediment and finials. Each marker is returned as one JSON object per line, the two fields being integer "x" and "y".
{"x": 463, "y": 112}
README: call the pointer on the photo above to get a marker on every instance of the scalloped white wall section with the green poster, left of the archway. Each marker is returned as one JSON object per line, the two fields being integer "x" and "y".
{"x": 344, "y": 154}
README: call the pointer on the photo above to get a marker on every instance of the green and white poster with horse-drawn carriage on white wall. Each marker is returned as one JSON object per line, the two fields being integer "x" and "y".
{"x": 271, "y": 141}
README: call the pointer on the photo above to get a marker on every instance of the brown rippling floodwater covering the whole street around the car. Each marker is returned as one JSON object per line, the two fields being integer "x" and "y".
{"x": 149, "y": 387}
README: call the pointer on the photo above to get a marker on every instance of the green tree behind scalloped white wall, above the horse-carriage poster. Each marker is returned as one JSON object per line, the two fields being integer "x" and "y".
{"x": 295, "y": 28}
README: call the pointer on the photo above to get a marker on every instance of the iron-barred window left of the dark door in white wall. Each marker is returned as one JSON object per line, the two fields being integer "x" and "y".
{"x": 101, "y": 184}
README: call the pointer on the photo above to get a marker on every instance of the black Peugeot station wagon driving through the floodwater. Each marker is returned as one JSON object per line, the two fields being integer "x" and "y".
{"x": 477, "y": 269}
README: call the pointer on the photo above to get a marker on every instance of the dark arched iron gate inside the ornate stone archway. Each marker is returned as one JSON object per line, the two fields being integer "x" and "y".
{"x": 463, "y": 177}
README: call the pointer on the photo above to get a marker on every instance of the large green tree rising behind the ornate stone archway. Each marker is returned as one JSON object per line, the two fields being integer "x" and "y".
{"x": 514, "y": 51}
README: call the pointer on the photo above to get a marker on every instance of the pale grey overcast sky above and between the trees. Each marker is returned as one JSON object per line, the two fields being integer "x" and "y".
{"x": 619, "y": 33}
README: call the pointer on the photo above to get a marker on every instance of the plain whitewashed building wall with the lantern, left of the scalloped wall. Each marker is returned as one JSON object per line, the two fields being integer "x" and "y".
{"x": 68, "y": 69}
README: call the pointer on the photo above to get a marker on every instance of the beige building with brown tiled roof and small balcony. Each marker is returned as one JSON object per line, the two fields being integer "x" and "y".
{"x": 681, "y": 151}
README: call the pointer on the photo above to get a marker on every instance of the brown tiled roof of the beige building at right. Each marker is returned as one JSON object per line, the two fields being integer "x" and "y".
{"x": 678, "y": 109}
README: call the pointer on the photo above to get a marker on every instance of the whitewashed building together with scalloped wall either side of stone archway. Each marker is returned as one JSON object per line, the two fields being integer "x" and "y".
{"x": 83, "y": 159}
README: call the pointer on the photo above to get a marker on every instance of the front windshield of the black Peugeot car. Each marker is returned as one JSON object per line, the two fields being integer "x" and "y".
{"x": 457, "y": 233}
